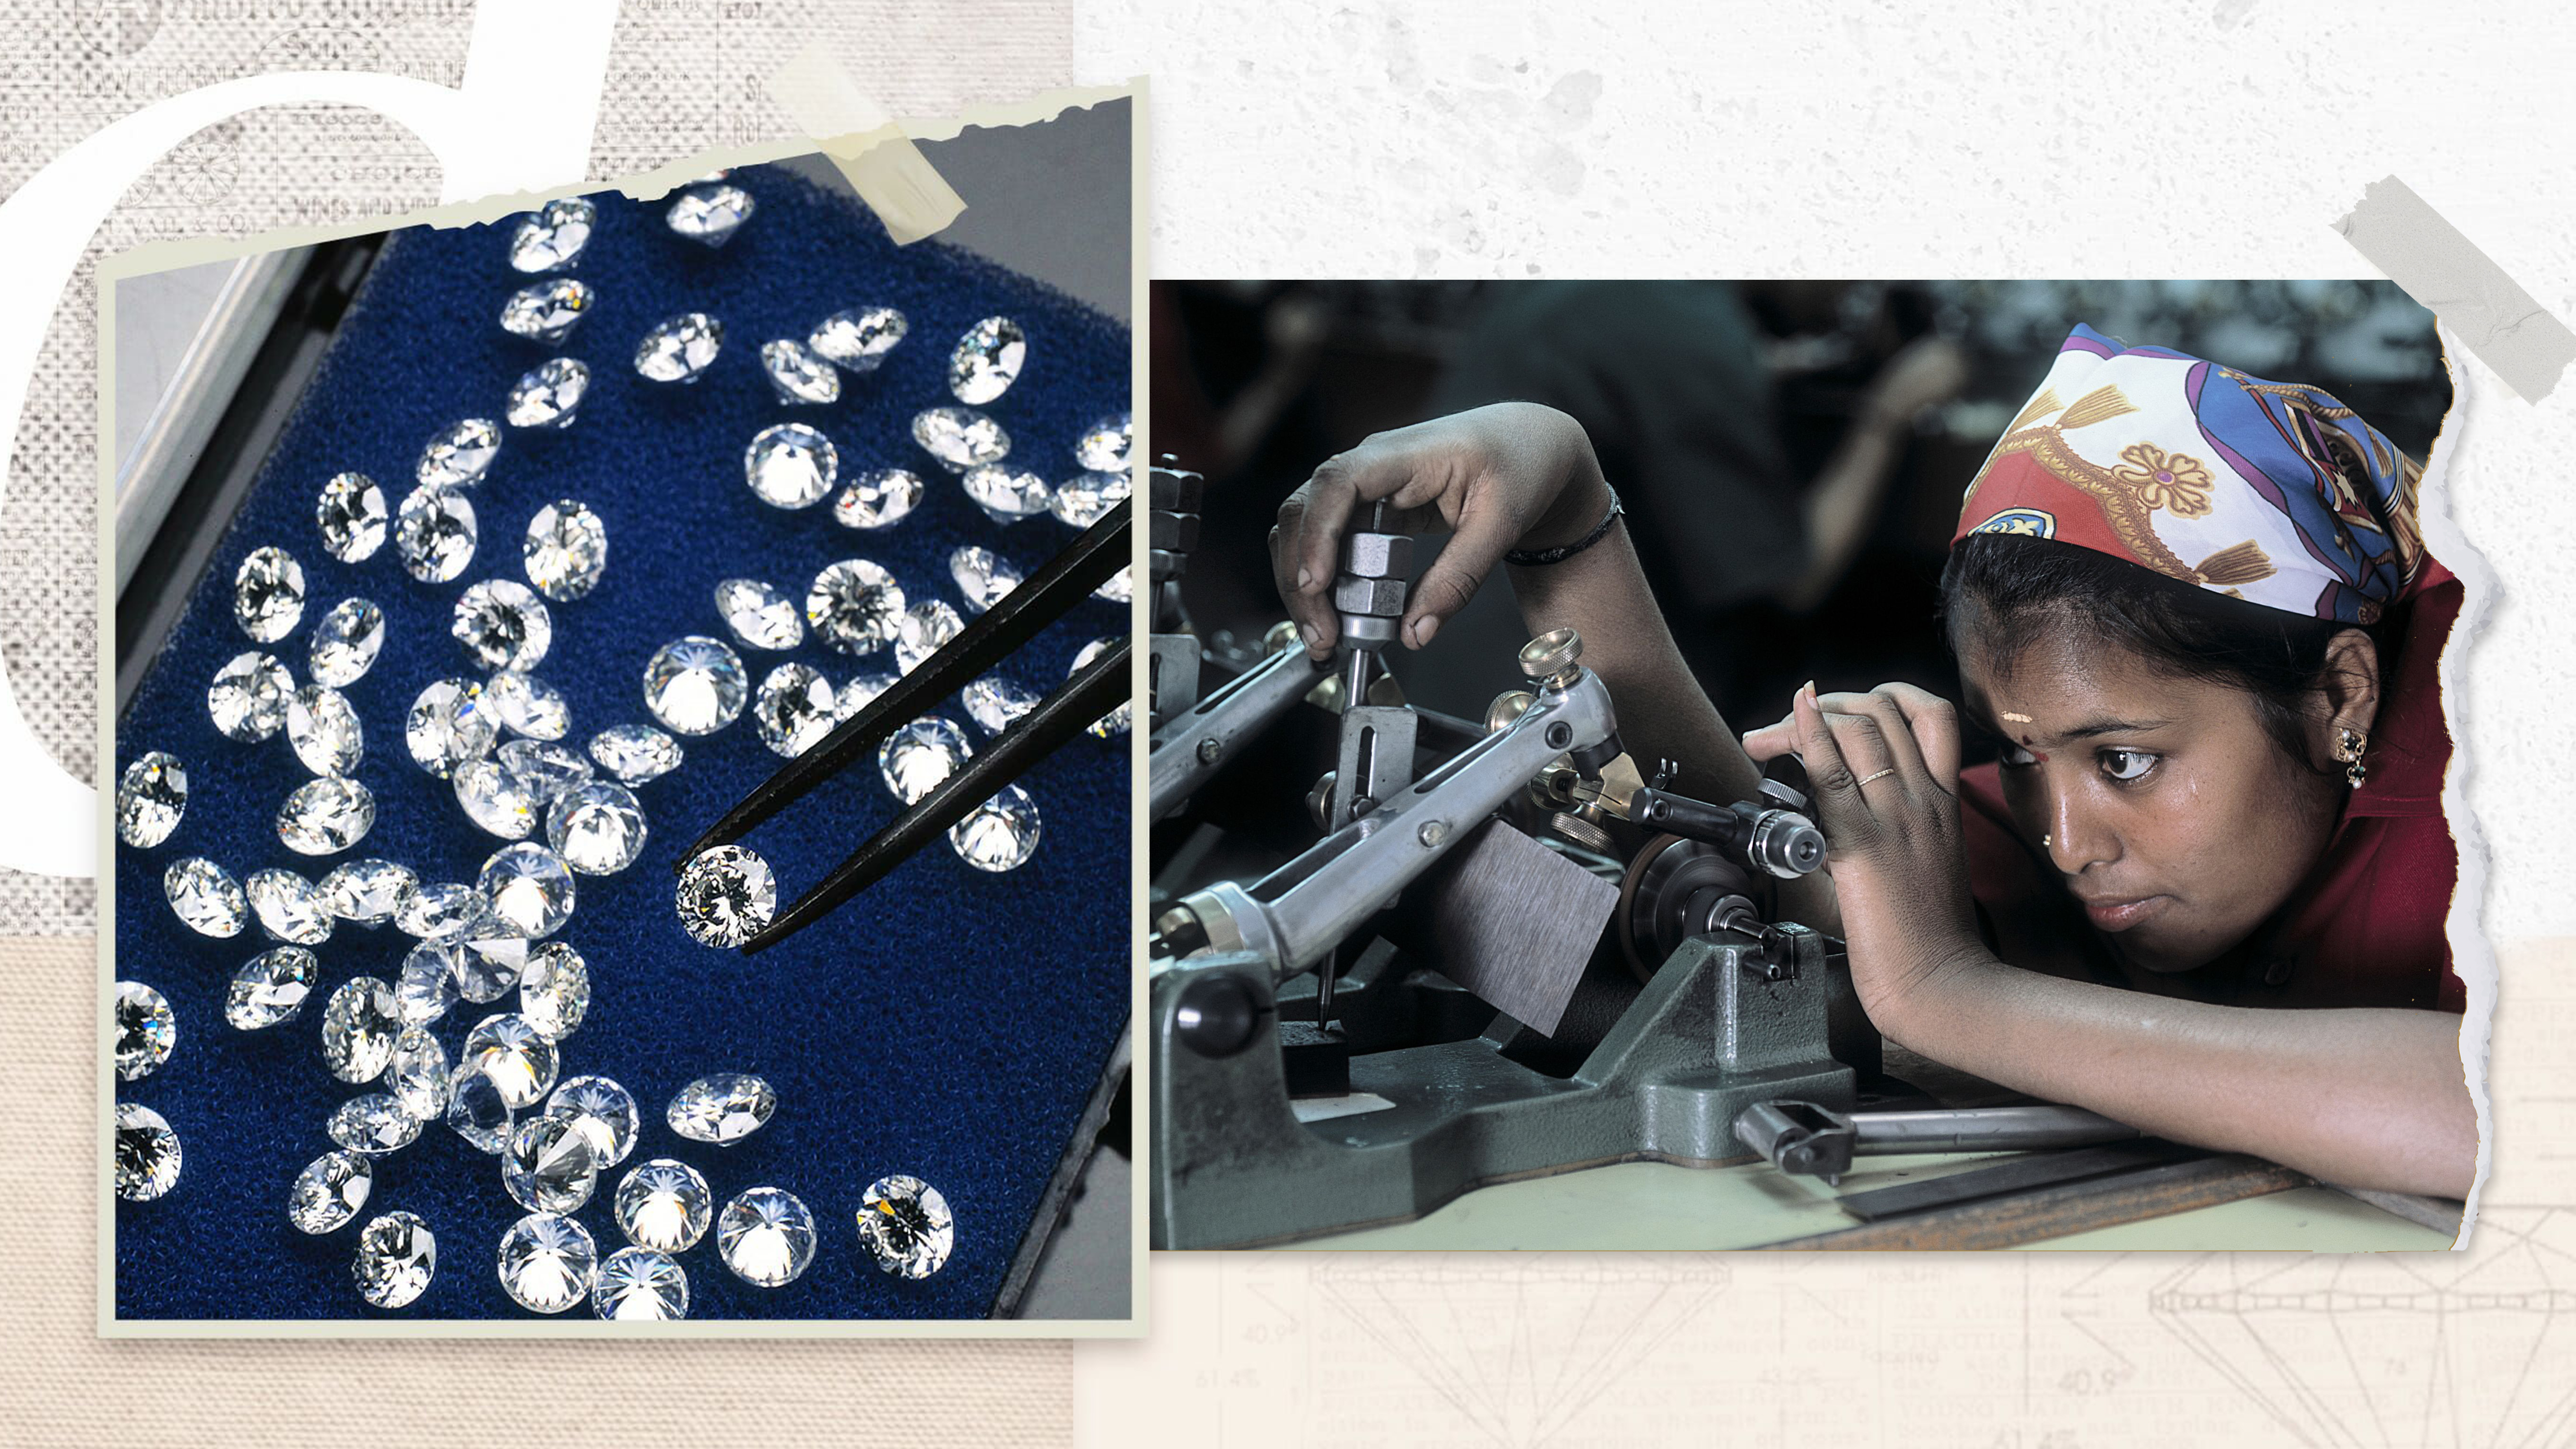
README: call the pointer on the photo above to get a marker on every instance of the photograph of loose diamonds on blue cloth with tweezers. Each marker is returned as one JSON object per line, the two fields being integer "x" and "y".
{"x": 622, "y": 775}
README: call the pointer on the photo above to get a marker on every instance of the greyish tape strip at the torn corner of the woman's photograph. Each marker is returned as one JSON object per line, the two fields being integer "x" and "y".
{"x": 2461, "y": 285}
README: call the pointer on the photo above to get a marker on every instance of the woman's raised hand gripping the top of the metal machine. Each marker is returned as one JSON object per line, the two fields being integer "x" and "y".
{"x": 1513, "y": 476}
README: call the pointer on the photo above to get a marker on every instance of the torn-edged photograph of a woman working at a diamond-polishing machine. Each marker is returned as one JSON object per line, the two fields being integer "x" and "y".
{"x": 1802, "y": 764}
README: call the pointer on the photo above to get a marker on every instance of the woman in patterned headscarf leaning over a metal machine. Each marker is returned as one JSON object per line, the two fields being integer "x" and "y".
{"x": 2204, "y": 886}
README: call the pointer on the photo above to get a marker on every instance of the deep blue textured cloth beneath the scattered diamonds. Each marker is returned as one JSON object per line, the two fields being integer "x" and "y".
{"x": 947, "y": 1025}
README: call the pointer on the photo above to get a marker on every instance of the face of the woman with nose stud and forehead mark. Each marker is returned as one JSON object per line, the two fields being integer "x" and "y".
{"x": 2170, "y": 813}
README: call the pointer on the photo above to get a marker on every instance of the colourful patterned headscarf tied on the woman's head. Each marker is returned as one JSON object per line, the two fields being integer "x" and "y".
{"x": 2263, "y": 491}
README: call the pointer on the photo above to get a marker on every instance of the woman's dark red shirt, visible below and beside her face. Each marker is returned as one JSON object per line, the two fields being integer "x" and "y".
{"x": 2363, "y": 927}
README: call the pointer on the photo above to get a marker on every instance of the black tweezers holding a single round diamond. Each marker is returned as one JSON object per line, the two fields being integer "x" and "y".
{"x": 1011, "y": 623}
